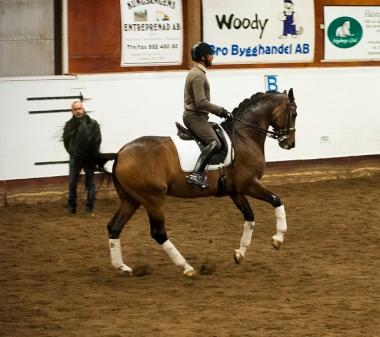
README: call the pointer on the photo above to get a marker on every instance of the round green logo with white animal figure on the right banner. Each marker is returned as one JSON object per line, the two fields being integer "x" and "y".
{"x": 345, "y": 32}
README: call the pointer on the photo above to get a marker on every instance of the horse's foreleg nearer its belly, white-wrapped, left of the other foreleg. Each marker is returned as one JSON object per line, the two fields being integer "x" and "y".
{"x": 243, "y": 205}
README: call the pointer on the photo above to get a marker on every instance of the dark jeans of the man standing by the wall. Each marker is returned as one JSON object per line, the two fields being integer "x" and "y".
{"x": 74, "y": 174}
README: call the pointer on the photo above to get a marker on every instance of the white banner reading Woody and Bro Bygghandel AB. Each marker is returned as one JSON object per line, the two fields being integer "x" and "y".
{"x": 256, "y": 31}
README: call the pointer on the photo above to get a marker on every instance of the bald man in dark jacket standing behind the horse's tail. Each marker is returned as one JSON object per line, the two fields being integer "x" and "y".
{"x": 81, "y": 138}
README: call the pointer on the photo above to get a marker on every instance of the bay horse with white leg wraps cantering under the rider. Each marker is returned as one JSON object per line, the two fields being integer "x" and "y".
{"x": 147, "y": 169}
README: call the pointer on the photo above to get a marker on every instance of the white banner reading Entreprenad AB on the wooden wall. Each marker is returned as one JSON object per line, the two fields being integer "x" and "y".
{"x": 151, "y": 32}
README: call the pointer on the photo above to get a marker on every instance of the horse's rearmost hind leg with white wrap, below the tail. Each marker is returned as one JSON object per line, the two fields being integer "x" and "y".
{"x": 127, "y": 208}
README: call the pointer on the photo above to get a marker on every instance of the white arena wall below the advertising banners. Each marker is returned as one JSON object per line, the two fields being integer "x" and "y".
{"x": 338, "y": 112}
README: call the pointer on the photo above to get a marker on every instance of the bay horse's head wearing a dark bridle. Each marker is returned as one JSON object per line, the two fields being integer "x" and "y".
{"x": 284, "y": 121}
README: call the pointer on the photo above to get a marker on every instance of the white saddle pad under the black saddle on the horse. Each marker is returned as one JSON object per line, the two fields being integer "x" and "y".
{"x": 189, "y": 151}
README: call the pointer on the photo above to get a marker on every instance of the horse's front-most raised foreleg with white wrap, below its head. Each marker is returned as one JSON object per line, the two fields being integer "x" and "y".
{"x": 259, "y": 191}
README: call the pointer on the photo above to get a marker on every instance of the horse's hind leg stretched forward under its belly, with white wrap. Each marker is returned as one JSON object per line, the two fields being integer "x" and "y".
{"x": 158, "y": 233}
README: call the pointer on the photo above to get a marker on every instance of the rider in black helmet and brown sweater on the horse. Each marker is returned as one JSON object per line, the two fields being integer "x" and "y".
{"x": 197, "y": 108}
